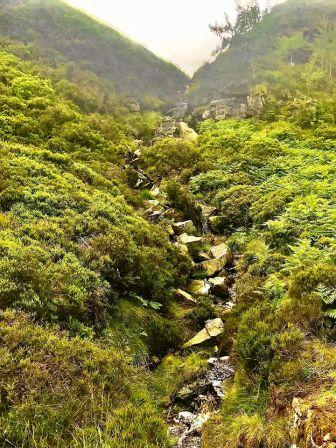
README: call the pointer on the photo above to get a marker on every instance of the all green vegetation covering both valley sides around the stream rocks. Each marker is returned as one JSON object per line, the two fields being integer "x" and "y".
{"x": 89, "y": 324}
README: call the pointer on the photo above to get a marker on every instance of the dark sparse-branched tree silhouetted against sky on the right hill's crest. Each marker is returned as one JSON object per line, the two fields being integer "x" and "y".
{"x": 248, "y": 15}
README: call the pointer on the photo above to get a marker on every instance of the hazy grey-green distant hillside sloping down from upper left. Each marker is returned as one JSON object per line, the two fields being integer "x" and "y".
{"x": 59, "y": 33}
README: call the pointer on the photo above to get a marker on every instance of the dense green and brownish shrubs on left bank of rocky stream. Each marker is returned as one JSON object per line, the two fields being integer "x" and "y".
{"x": 85, "y": 281}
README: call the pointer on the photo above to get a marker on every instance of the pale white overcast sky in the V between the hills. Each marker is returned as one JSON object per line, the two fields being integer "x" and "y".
{"x": 176, "y": 30}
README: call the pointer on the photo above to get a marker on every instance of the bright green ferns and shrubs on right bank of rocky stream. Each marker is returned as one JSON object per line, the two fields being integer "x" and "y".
{"x": 273, "y": 186}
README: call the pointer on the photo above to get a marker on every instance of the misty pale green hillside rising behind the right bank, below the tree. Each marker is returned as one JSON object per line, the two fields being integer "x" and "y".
{"x": 286, "y": 36}
